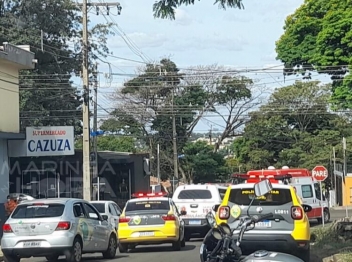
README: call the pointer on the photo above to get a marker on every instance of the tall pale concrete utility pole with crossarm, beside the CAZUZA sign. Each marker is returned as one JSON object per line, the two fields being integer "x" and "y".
{"x": 85, "y": 107}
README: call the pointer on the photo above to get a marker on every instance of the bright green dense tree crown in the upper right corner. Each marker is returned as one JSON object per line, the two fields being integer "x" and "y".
{"x": 318, "y": 37}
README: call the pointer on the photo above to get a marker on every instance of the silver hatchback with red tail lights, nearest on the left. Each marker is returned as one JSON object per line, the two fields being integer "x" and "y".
{"x": 54, "y": 227}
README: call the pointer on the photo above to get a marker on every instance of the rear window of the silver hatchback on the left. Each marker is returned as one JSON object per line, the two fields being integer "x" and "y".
{"x": 37, "y": 211}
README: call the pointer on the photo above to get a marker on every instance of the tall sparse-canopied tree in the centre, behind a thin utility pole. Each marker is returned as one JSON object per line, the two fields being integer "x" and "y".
{"x": 146, "y": 105}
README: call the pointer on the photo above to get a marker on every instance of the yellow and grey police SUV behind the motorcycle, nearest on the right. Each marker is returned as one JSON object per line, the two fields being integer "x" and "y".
{"x": 288, "y": 231}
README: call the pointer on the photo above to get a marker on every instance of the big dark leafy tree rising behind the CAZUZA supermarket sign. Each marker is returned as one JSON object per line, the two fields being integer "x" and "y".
{"x": 47, "y": 95}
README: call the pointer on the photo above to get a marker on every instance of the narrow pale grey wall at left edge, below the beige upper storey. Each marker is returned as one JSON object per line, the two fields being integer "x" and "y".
{"x": 4, "y": 171}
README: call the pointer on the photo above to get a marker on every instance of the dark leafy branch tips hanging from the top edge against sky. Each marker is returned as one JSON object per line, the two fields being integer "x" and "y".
{"x": 166, "y": 8}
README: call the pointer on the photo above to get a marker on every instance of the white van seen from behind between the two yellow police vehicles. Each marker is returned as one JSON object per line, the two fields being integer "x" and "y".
{"x": 197, "y": 201}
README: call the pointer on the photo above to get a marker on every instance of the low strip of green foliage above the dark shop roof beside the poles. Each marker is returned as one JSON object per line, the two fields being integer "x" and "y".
{"x": 113, "y": 143}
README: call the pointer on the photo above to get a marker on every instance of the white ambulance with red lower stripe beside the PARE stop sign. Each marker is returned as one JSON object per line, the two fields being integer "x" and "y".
{"x": 309, "y": 192}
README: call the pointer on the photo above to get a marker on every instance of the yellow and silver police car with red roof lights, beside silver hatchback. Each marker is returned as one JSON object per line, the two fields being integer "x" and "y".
{"x": 149, "y": 219}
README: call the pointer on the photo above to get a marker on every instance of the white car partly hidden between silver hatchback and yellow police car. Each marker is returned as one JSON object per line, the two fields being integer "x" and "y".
{"x": 109, "y": 210}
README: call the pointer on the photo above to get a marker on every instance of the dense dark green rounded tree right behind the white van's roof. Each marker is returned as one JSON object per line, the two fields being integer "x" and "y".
{"x": 201, "y": 163}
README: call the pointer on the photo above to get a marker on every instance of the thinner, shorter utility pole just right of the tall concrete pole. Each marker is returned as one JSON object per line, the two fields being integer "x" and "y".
{"x": 95, "y": 130}
